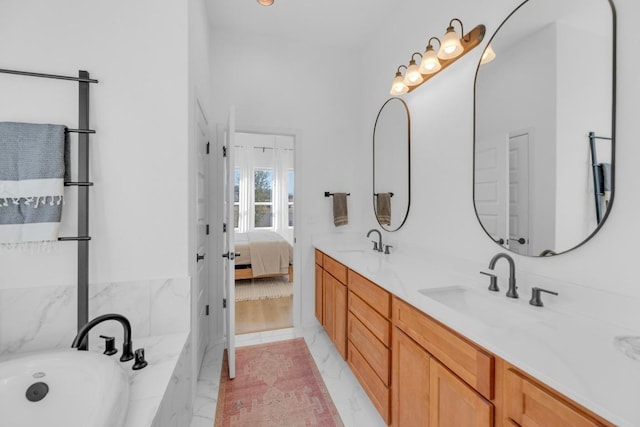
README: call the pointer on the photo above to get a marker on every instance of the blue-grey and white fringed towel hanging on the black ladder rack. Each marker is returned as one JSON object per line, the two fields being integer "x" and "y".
{"x": 32, "y": 173}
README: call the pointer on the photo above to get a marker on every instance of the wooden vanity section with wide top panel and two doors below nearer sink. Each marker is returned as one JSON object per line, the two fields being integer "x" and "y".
{"x": 438, "y": 378}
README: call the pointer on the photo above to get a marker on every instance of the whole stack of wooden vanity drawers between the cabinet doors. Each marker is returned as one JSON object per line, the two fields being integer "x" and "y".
{"x": 369, "y": 335}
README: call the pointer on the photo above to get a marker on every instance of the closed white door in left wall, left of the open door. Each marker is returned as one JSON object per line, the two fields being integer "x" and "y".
{"x": 200, "y": 334}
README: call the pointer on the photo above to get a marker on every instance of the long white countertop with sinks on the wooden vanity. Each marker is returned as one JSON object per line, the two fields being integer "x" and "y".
{"x": 558, "y": 344}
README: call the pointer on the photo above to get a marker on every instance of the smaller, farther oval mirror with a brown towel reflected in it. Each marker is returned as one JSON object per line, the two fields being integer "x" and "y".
{"x": 391, "y": 164}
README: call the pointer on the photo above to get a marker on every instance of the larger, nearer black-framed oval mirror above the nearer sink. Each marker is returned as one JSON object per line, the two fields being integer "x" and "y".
{"x": 544, "y": 126}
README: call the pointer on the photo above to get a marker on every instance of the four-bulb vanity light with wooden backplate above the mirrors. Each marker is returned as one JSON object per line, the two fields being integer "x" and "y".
{"x": 450, "y": 50}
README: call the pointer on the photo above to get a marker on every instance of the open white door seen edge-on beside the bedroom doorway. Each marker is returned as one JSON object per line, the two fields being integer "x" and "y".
{"x": 229, "y": 247}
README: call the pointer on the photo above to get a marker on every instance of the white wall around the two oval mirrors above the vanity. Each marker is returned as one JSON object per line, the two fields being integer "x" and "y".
{"x": 442, "y": 217}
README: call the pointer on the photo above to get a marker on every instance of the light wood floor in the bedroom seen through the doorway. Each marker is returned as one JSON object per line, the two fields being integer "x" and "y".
{"x": 264, "y": 315}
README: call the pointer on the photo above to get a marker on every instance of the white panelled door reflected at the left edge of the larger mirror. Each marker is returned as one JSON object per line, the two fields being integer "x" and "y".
{"x": 490, "y": 192}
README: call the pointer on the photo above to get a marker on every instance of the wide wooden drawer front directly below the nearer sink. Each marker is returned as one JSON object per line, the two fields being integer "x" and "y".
{"x": 468, "y": 361}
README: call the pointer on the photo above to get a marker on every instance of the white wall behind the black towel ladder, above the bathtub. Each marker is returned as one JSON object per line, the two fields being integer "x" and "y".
{"x": 138, "y": 205}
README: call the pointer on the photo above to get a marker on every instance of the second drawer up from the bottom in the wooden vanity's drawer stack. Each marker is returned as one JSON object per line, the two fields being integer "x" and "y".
{"x": 375, "y": 353}
